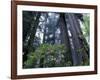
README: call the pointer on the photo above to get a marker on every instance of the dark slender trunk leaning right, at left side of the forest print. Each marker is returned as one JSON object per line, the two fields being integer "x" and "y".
{"x": 34, "y": 26}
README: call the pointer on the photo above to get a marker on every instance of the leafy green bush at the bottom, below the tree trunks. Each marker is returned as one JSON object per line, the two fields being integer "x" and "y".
{"x": 47, "y": 55}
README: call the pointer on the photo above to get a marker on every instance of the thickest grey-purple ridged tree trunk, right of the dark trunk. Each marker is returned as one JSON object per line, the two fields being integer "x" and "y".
{"x": 78, "y": 42}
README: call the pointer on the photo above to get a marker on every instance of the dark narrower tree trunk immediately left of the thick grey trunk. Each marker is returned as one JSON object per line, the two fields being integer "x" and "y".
{"x": 64, "y": 36}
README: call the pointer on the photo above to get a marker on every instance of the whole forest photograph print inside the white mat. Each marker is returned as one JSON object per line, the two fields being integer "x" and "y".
{"x": 52, "y": 39}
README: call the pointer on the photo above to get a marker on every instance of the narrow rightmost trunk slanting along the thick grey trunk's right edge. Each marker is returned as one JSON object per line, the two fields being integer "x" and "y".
{"x": 82, "y": 40}
